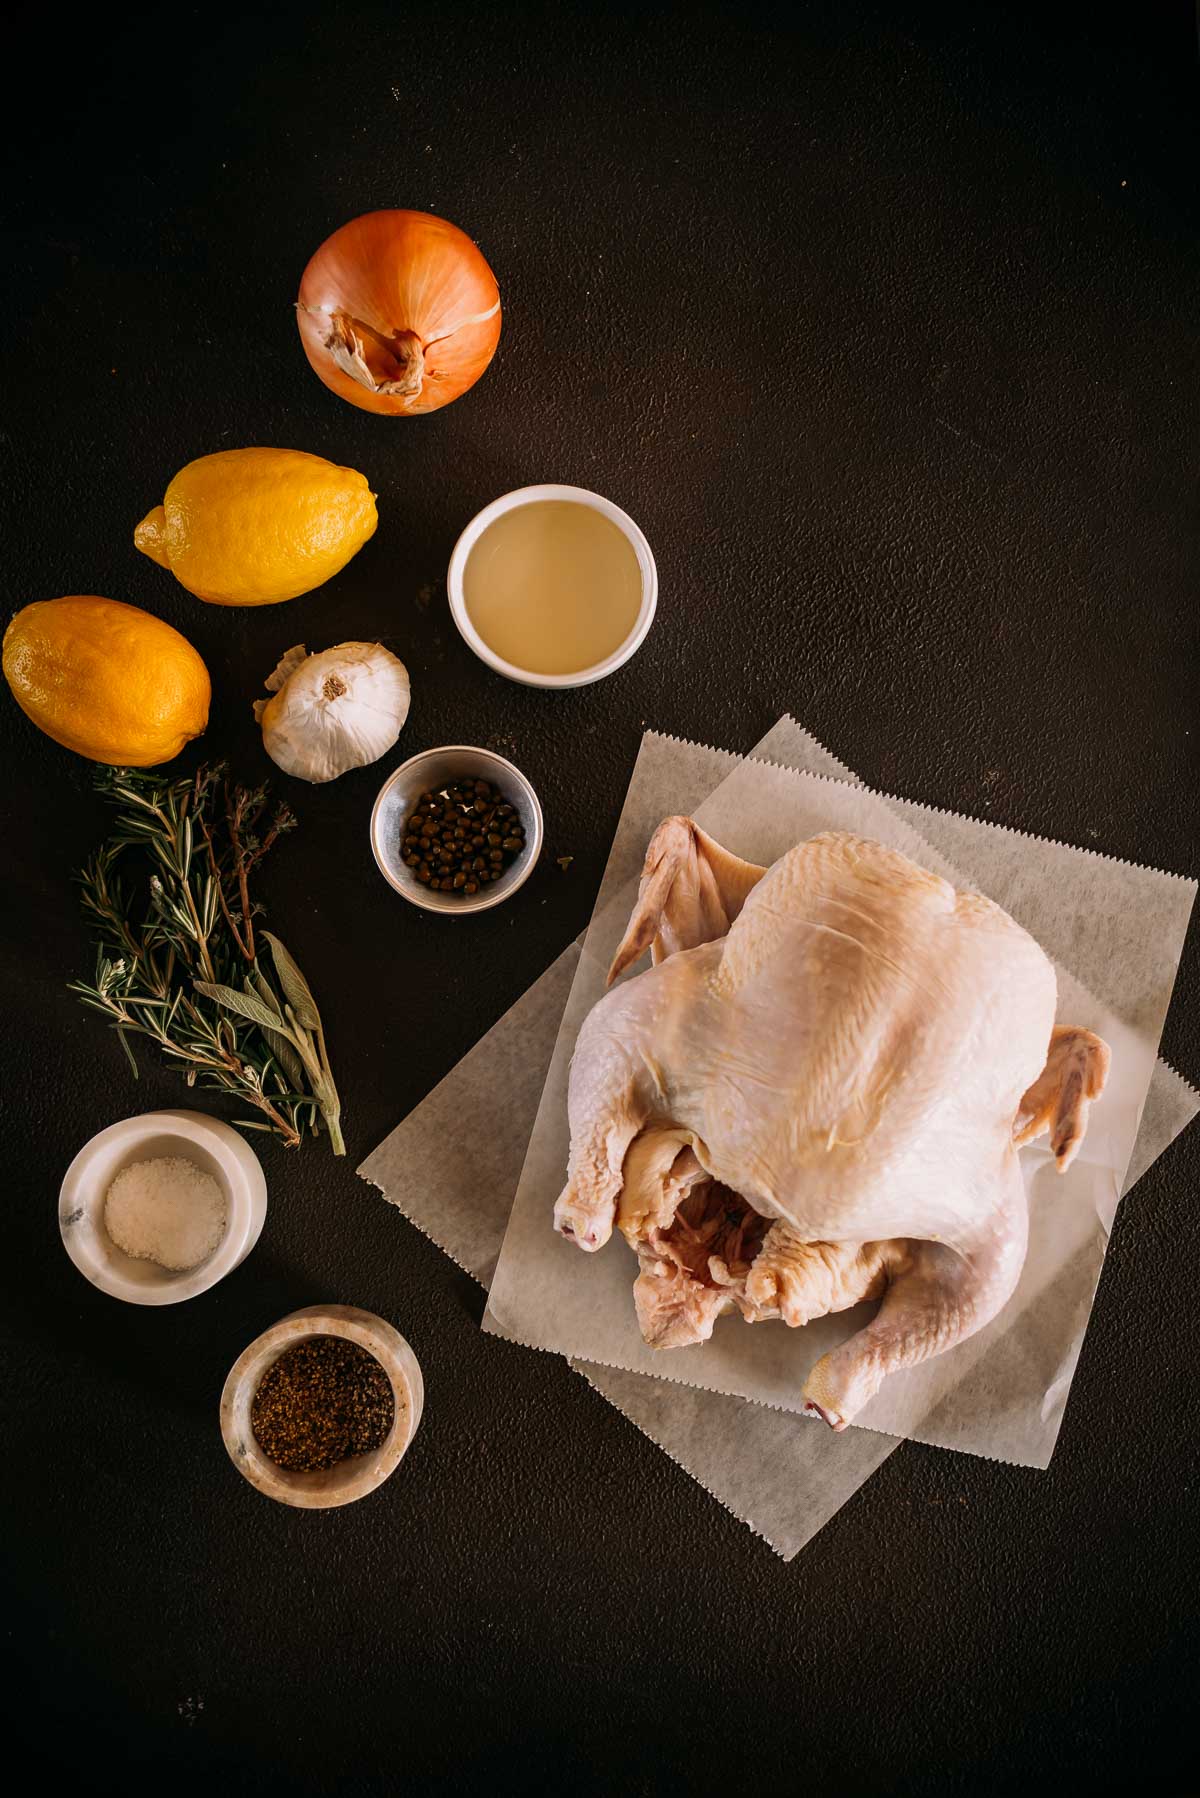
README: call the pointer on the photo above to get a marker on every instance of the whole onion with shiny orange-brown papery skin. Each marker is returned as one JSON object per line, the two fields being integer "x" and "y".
{"x": 399, "y": 312}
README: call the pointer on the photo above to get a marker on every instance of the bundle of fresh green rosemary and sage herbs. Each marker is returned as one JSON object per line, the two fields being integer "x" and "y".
{"x": 183, "y": 970}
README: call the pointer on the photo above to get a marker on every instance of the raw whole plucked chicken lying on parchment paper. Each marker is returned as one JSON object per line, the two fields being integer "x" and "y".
{"x": 816, "y": 1098}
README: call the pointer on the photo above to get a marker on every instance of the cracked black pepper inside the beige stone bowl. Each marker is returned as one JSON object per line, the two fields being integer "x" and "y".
{"x": 319, "y": 1403}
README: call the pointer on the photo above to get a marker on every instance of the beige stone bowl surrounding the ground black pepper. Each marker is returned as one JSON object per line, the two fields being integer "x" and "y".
{"x": 355, "y": 1477}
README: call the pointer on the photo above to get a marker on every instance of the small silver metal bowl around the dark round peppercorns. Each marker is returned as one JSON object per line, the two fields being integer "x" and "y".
{"x": 434, "y": 769}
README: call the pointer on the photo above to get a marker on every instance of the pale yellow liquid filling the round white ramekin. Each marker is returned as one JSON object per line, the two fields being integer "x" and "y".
{"x": 553, "y": 587}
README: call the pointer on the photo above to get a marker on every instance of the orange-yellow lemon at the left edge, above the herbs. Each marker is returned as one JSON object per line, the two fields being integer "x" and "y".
{"x": 107, "y": 681}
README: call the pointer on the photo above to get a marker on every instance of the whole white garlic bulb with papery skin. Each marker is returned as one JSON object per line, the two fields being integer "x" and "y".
{"x": 334, "y": 711}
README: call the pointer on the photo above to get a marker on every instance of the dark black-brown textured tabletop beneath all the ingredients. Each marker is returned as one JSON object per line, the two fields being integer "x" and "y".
{"x": 882, "y": 323}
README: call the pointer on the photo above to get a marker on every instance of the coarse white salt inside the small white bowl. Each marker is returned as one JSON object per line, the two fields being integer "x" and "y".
{"x": 166, "y": 1211}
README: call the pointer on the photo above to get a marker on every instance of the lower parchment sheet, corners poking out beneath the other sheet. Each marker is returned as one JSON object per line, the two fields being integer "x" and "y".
{"x": 775, "y": 1472}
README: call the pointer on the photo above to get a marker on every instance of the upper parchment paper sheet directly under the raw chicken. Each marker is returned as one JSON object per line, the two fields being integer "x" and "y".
{"x": 1003, "y": 1393}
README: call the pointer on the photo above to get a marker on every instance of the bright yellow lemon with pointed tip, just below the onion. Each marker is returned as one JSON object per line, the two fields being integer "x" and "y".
{"x": 249, "y": 528}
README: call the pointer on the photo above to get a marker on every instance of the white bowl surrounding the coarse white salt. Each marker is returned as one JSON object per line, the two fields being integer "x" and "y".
{"x": 215, "y": 1148}
